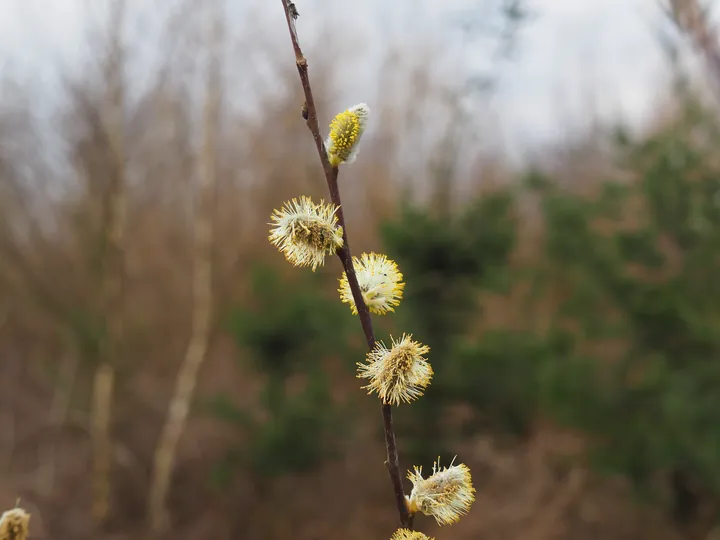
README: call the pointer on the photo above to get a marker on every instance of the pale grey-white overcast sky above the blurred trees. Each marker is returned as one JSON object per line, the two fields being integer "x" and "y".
{"x": 570, "y": 52}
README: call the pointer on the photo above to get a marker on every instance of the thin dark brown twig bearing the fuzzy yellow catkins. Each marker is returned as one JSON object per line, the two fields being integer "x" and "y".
{"x": 331, "y": 175}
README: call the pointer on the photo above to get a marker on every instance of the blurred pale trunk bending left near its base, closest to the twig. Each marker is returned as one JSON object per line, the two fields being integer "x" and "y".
{"x": 202, "y": 291}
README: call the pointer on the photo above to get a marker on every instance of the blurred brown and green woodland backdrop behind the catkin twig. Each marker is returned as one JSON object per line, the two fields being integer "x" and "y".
{"x": 575, "y": 300}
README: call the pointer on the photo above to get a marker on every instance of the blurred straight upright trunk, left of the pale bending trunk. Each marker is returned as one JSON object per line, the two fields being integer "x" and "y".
{"x": 113, "y": 274}
